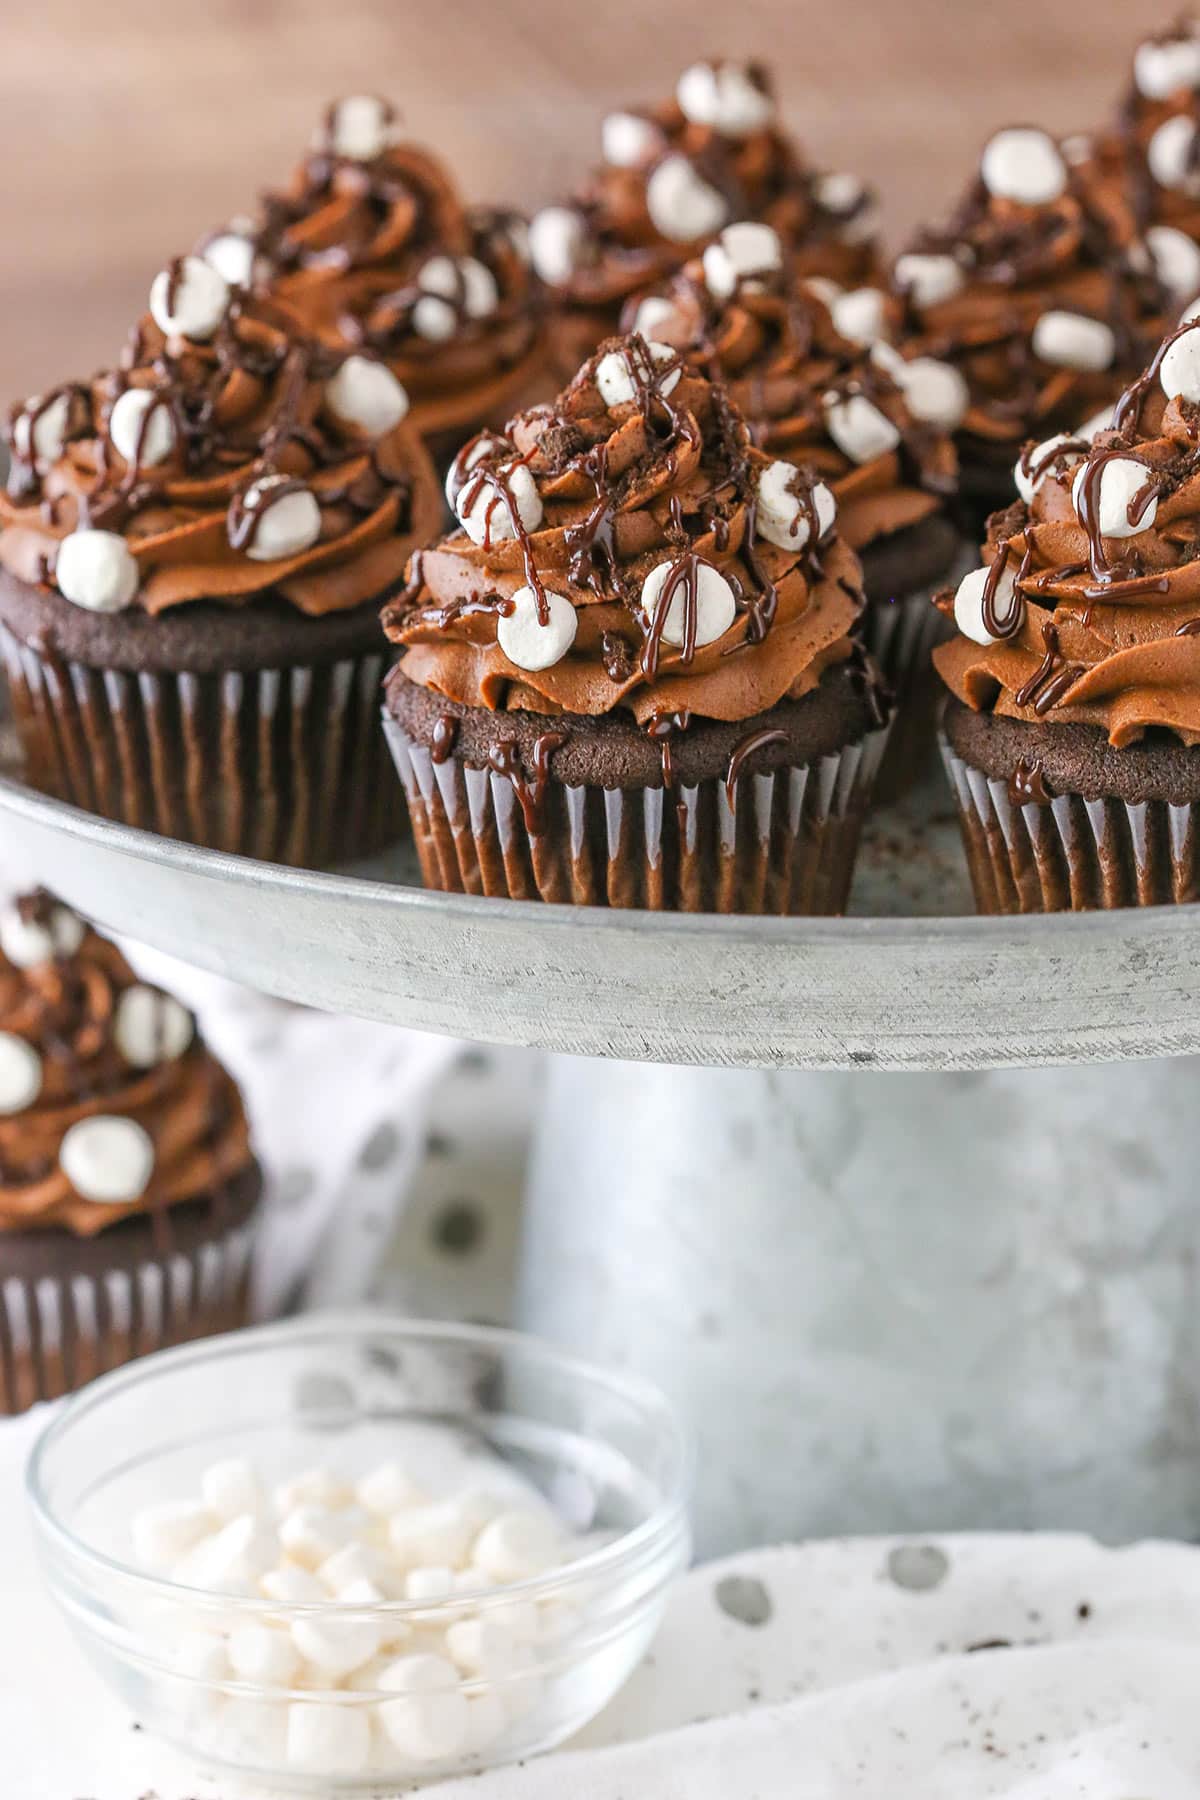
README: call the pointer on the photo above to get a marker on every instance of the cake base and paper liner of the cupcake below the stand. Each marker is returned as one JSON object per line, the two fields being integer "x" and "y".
{"x": 75, "y": 1308}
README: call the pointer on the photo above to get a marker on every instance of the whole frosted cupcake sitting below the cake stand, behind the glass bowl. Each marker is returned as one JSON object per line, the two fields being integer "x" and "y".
{"x": 127, "y": 1182}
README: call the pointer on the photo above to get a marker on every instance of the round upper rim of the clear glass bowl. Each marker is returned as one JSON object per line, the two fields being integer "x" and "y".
{"x": 659, "y": 1529}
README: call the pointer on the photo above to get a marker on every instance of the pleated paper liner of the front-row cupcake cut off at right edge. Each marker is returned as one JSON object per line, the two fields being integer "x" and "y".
{"x": 1073, "y": 854}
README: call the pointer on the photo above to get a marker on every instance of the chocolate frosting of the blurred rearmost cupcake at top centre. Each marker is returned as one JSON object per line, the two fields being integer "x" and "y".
{"x": 760, "y": 174}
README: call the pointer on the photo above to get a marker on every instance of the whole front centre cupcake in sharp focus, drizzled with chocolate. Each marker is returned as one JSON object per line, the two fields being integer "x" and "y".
{"x": 632, "y": 676}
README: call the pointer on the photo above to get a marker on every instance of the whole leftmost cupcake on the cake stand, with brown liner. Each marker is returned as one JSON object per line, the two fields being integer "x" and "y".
{"x": 193, "y": 553}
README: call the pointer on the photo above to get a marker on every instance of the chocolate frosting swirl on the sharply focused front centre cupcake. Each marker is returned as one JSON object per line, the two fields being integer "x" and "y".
{"x": 665, "y": 478}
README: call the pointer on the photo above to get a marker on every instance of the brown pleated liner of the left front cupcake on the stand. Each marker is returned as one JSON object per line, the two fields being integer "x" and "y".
{"x": 287, "y": 766}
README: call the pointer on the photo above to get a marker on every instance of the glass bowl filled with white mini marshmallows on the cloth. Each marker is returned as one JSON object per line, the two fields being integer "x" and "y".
{"x": 337, "y": 1554}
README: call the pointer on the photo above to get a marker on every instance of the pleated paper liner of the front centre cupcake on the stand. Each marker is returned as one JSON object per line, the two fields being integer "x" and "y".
{"x": 787, "y": 845}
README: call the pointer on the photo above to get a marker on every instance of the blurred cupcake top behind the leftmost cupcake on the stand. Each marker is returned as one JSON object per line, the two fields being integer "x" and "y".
{"x": 373, "y": 247}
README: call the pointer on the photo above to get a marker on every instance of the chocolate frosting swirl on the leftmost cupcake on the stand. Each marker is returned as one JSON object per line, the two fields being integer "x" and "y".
{"x": 246, "y": 406}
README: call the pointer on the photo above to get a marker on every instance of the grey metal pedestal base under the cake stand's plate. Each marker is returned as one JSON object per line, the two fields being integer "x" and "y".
{"x": 890, "y": 1302}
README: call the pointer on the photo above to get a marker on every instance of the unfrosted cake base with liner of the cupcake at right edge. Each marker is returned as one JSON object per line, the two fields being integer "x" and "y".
{"x": 1057, "y": 820}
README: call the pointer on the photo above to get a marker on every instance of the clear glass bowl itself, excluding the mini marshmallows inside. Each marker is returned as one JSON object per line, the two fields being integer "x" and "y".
{"x": 604, "y": 1450}
